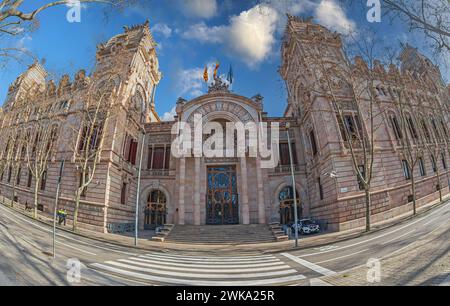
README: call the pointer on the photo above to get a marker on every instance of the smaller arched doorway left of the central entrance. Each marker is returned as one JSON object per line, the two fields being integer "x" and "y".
{"x": 156, "y": 210}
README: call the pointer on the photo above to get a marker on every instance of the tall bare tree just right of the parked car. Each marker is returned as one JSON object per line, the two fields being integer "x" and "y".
{"x": 358, "y": 114}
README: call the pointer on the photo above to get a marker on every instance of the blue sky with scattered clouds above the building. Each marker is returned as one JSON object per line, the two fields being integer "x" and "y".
{"x": 192, "y": 34}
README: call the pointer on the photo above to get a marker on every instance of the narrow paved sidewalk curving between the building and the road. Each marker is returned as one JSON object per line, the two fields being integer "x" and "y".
{"x": 145, "y": 242}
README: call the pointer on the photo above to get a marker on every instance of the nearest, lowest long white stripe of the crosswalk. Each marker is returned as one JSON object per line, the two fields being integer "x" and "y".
{"x": 190, "y": 282}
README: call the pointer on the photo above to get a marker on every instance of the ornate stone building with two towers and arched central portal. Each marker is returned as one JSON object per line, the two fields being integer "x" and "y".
{"x": 202, "y": 190}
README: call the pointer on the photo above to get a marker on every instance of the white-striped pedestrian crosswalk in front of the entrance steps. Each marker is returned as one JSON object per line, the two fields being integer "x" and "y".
{"x": 173, "y": 269}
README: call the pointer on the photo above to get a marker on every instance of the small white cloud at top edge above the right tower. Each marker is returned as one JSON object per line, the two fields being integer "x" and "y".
{"x": 332, "y": 16}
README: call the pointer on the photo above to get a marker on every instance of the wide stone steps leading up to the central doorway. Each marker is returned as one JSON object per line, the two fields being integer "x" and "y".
{"x": 221, "y": 234}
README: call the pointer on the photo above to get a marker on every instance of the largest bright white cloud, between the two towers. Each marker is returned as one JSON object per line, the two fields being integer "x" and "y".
{"x": 249, "y": 35}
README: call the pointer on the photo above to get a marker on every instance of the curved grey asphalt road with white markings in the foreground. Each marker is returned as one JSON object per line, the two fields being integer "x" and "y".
{"x": 26, "y": 258}
